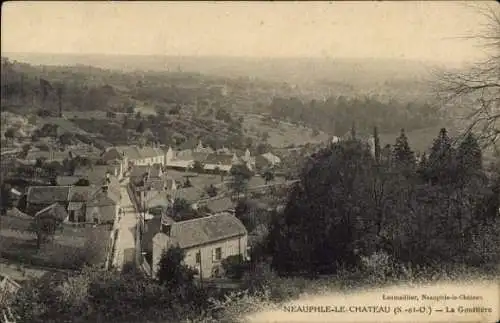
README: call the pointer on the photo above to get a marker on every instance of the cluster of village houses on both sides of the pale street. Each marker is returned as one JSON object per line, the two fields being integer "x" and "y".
{"x": 91, "y": 194}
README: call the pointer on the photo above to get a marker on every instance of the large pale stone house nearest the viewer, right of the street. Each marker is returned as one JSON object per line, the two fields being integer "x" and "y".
{"x": 206, "y": 242}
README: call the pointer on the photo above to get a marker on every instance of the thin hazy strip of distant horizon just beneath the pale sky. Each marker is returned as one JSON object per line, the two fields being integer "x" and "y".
{"x": 5, "y": 53}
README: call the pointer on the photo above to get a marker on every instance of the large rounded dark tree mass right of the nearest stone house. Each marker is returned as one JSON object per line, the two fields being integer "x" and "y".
{"x": 327, "y": 212}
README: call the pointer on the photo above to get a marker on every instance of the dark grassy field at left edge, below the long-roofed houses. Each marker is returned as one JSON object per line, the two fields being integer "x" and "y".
{"x": 70, "y": 248}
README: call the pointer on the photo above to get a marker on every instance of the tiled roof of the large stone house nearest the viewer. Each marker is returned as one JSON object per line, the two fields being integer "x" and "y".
{"x": 201, "y": 231}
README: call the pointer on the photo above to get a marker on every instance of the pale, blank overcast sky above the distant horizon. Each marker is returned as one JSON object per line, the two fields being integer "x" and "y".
{"x": 430, "y": 30}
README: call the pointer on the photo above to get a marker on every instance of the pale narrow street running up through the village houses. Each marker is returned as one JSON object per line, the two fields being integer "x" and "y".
{"x": 125, "y": 242}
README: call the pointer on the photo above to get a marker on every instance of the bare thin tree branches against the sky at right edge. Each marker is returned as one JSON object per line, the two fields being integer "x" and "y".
{"x": 473, "y": 95}
